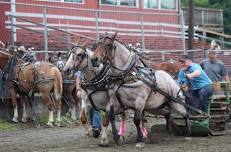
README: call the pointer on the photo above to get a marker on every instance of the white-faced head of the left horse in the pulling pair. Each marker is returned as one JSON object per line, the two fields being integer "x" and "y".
{"x": 76, "y": 58}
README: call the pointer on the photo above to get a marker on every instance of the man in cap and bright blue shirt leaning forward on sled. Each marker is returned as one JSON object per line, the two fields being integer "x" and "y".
{"x": 199, "y": 83}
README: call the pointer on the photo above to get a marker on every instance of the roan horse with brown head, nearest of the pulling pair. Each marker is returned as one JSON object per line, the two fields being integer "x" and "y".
{"x": 143, "y": 96}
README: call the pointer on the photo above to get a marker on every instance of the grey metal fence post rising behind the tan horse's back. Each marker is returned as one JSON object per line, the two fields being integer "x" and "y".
{"x": 45, "y": 33}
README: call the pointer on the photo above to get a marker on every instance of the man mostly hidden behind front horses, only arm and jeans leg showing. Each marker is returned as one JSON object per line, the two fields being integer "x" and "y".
{"x": 95, "y": 115}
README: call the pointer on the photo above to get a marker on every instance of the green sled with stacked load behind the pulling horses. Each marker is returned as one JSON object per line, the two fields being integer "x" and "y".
{"x": 215, "y": 122}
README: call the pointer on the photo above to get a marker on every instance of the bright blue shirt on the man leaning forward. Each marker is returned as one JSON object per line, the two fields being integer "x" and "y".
{"x": 196, "y": 82}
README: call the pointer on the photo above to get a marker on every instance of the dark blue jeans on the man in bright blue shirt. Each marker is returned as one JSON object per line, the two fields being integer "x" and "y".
{"x": 203, "y": 94}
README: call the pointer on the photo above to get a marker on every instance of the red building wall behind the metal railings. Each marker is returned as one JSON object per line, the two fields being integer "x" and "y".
{"x": 81, "y": 19}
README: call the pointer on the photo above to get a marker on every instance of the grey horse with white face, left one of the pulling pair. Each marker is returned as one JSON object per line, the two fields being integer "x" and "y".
{"x": 94, "y": 92}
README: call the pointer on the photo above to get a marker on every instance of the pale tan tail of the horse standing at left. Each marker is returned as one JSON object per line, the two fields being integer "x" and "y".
{"x": 58, "y": 83}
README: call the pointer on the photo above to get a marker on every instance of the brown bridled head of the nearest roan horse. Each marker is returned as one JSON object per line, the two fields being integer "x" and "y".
{"x": 104, "y": 50}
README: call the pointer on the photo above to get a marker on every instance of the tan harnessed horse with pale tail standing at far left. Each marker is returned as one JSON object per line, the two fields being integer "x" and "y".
{"x": 28, "y": 78}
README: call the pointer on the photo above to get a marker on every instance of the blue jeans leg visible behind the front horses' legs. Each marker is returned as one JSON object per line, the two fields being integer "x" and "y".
{"x": 95, "y": 118}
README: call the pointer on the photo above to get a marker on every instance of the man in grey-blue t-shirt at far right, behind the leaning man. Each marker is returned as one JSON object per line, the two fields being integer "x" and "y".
{"x": 214, "y": 68}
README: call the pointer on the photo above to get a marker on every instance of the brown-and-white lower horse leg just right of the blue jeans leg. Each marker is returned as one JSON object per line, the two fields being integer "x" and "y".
{"x": 104, "y": 138}
